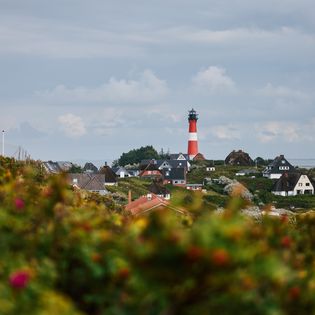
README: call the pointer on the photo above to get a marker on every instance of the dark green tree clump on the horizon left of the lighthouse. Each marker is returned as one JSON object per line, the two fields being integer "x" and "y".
{"x": 136, "y": 155}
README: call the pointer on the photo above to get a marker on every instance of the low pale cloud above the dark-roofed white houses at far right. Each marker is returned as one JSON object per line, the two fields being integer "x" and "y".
{"x": 276, "y": 130}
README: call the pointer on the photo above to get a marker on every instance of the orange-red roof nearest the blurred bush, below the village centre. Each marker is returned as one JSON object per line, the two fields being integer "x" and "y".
{"x": 148, "y": 203}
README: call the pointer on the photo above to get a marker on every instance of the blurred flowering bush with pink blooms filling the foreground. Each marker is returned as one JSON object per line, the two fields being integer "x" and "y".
{"x": 65, "y": 253}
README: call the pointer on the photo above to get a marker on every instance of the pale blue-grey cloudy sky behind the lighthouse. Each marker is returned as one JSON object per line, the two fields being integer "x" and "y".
{"x": 90, "y": 79}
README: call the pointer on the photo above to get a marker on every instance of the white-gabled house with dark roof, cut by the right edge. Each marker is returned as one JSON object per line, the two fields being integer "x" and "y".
{"x": 292, "y": 184}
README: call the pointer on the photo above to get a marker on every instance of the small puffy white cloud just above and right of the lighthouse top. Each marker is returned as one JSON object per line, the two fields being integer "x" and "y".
{"x": 213, "y": 79}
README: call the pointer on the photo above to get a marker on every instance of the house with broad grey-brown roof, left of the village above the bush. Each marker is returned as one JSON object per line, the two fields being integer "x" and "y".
{"x": 89, "y": 182}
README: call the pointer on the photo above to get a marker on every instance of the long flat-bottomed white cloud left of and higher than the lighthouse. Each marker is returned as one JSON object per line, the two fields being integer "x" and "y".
{"x": 147, "y": 87}
